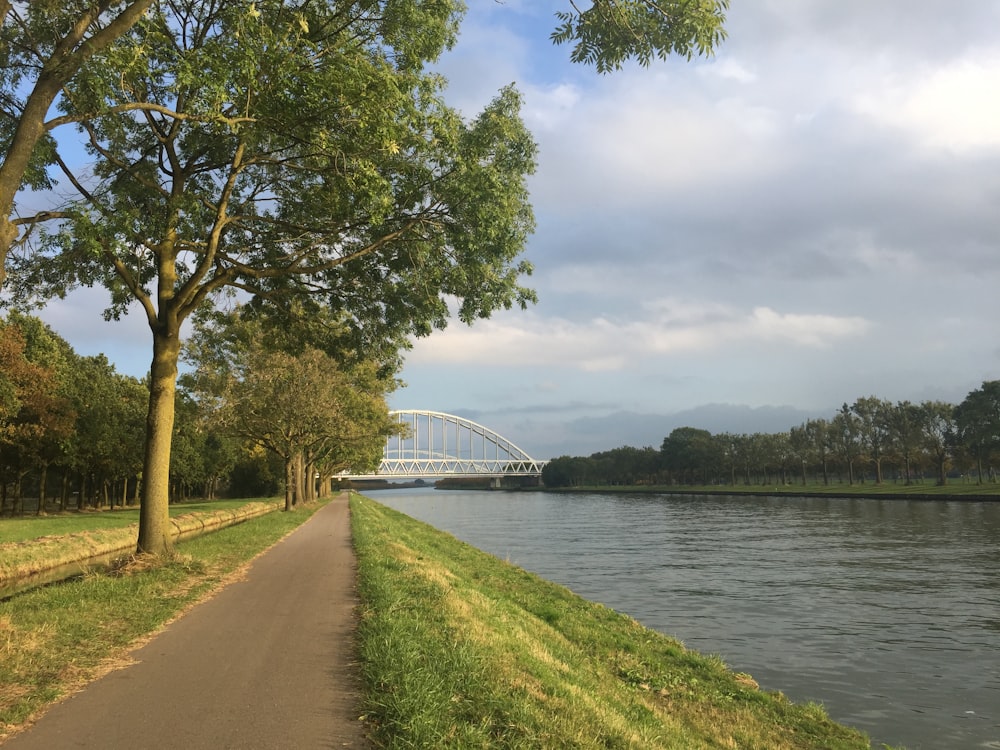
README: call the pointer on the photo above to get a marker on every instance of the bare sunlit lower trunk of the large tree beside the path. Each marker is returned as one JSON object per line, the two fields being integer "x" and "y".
{"x": 154, "y": 518}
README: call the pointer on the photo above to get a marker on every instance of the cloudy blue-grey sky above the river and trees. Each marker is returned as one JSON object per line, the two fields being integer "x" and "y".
{"x": 735, "y": 243}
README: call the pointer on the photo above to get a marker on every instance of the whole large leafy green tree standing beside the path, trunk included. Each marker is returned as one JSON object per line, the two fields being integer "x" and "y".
{"x": 287, "y": 150}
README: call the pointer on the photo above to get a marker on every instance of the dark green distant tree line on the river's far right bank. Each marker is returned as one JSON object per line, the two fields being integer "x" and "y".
{"x": 871, "y": 440}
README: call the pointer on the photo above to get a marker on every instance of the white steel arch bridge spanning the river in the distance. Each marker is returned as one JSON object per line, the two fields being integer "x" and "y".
{"x": 434, "y": 444}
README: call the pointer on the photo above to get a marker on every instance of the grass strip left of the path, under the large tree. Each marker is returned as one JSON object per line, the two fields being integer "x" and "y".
{"x": 56, "y": 638}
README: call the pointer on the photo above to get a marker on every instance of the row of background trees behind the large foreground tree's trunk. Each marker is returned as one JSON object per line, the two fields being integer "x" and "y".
{"x": 258, "y": 415}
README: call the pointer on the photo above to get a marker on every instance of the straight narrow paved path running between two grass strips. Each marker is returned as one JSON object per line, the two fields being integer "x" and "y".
{"x": 267, "y": 663}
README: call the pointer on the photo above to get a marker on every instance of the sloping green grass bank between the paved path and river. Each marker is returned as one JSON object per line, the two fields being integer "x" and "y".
{"x": 462, "y": 650}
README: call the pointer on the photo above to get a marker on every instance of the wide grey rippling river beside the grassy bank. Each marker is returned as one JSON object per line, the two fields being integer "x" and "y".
{"x": 885, "y": 611}
